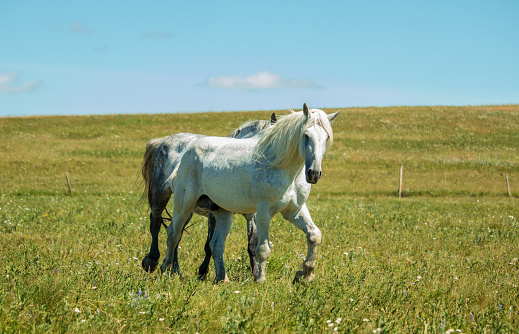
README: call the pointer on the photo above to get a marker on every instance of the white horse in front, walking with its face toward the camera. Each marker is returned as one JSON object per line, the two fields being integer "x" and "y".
{"x": 263, "y": 174}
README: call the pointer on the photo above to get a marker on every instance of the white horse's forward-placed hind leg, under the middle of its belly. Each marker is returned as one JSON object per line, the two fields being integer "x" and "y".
{"x": 217, "y": 244}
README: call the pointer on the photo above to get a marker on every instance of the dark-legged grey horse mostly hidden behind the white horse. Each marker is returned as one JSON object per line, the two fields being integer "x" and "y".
{"x": 161, "y": 158}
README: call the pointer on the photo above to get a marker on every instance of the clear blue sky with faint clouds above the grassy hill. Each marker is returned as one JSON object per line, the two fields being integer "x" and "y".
{"x": 98, "y": 57}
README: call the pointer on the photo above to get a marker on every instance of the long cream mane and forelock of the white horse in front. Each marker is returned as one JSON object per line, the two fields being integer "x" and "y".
{"x": 279, "y": 144}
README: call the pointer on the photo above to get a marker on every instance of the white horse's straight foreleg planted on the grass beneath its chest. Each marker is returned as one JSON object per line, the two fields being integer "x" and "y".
{"x": 263, "y": 217}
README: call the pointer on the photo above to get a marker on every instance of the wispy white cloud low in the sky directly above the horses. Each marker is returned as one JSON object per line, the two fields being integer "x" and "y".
{"x": 259, "y": 81}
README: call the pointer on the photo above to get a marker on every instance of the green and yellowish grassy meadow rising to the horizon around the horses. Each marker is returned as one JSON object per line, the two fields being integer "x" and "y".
{"x": 444, "y": 258}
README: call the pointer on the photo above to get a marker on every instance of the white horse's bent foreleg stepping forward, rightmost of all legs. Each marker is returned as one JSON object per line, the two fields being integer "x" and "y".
{"x": 303, "y": 221}
